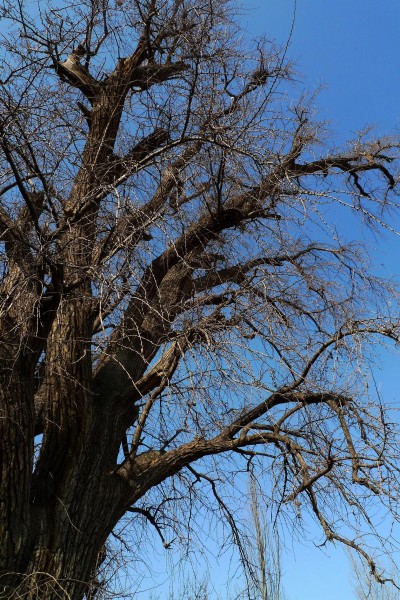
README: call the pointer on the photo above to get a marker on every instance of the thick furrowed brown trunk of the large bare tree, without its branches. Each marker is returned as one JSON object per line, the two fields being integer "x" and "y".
{"x": 56, "y": 516}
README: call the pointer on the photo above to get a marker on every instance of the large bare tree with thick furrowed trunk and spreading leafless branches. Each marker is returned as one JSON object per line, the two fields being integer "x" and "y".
{"x": 176, "y": 306}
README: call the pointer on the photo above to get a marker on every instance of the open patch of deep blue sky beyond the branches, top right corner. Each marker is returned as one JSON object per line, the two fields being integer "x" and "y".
{"x": 350, "y": 45}
